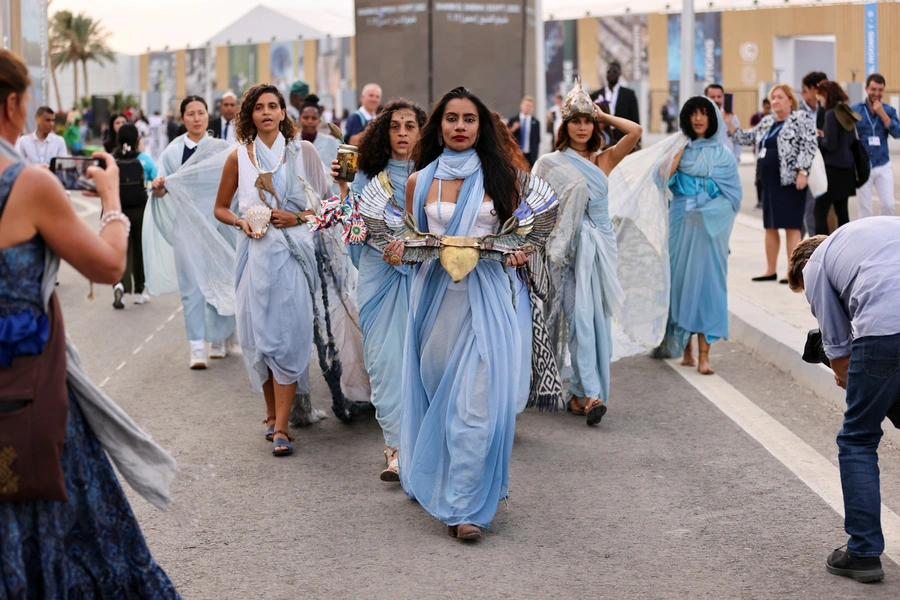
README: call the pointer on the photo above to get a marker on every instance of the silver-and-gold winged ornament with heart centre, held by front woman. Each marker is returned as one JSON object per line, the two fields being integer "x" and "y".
{"x": 526, "y": 230}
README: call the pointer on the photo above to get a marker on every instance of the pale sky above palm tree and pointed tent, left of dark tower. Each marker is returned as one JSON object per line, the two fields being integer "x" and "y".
{"x": 136, "y": 25}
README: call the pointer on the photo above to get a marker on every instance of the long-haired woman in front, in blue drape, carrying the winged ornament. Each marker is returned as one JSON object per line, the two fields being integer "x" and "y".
{"x": 462, "y": 363}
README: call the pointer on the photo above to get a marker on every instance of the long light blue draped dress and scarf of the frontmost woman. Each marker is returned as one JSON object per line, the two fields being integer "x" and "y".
{"x": 461, "y": 370}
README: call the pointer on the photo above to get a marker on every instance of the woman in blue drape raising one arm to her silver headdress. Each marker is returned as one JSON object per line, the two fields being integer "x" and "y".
{"x": 582, "y": 250}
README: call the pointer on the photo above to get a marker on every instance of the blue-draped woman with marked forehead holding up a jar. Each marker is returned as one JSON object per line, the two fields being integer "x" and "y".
{"x": 383, "y": 289}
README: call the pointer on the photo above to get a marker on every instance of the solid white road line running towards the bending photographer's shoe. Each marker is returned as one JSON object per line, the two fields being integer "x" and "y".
{"x": 809, "y": 466}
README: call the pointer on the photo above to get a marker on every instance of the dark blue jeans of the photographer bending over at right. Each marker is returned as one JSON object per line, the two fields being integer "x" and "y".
{"x": 873, "y": 386}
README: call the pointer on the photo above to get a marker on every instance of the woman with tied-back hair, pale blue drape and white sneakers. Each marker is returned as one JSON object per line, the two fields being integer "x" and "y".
{"x": 207, "y": 316}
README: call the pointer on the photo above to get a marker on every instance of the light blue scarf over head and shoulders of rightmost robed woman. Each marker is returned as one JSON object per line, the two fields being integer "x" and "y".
{"x": 708, "y": 158}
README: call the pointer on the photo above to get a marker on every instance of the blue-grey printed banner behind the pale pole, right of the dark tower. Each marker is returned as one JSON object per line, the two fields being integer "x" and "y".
{"x": 707, "y": 57}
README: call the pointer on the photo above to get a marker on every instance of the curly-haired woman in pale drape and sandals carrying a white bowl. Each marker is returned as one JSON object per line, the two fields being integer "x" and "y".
{"x": 275, "y": 269}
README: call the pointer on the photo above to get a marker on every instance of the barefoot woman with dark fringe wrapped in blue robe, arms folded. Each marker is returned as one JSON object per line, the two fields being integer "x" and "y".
{"x": 706, "y": 195}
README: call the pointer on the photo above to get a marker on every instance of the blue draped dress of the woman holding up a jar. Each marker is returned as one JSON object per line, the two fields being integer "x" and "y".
{"x": 383, "y": 293}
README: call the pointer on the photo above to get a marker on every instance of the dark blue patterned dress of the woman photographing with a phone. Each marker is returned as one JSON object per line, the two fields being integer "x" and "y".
{"x": 89, "y": 546}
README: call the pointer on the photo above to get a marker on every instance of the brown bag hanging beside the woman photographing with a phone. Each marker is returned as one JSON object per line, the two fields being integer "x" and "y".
{"x": 34, "y": 410}
